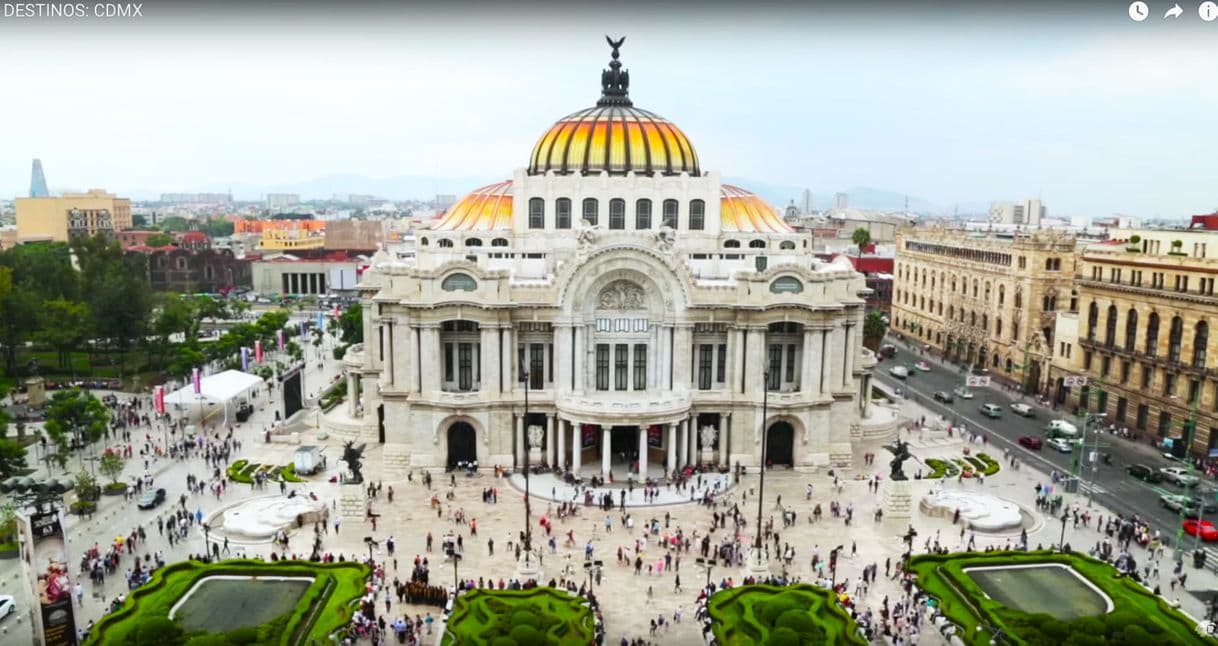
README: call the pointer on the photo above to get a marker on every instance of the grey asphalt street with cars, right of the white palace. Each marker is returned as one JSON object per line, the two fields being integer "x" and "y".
{"x": 1109, "y": 484}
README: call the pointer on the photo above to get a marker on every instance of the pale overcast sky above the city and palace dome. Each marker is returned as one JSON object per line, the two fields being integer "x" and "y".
{"x": 1081, "y": 105}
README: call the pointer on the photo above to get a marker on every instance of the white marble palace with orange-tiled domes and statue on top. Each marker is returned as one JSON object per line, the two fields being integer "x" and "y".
{"x": 616, "y": 307}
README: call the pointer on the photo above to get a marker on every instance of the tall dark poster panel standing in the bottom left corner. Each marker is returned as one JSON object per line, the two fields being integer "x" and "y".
{"x": 51, "y": 577}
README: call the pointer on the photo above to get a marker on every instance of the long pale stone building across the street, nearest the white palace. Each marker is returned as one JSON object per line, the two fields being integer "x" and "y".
{"x": 990, "y": 303}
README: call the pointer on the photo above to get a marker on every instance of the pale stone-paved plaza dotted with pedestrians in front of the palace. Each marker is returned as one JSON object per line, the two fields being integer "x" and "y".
{"x": 629, "y": 600}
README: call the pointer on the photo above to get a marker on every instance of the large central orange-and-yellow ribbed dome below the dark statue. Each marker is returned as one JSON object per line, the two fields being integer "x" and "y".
{"x": 614, "y": 138}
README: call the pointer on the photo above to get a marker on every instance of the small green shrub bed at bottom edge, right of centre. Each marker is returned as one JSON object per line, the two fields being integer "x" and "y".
{"x": 774, "y": 615}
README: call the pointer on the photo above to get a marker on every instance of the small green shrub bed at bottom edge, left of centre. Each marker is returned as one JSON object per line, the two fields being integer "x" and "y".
{"x": 519, "y": 617}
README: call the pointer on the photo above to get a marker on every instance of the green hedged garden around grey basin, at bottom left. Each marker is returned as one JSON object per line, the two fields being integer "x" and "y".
{"x": 323, "y": 608}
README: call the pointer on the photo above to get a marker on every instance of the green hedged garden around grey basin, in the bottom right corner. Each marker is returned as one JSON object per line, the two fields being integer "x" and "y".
{"x": 1139, "y": 616}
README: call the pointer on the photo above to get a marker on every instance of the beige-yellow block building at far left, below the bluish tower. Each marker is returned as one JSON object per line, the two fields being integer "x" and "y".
{"x": 71, "y": 215}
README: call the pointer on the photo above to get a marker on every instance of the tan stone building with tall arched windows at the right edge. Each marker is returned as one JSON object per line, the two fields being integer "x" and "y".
{"x": 1146, "y": 304}
